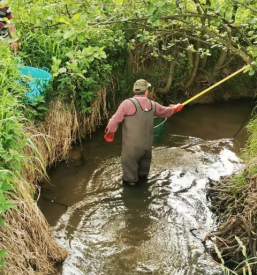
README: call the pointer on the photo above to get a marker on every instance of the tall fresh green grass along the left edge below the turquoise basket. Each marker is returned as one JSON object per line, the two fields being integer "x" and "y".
{"x": 12, "y": 135}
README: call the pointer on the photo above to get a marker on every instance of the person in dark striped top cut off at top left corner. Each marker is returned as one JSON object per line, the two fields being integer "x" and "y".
{"x": 7, "y": 30}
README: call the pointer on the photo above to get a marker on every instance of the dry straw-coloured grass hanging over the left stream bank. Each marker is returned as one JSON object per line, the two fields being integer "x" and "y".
{"x": 27, "y": 236}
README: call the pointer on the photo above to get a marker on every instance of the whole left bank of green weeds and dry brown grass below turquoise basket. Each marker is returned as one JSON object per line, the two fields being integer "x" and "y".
{"x": 27, "y": 148}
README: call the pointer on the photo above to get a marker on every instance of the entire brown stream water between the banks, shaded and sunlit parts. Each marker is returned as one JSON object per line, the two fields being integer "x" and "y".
{"x": 157, "y": 227}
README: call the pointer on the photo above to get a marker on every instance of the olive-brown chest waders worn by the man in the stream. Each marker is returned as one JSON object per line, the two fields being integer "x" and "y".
{"x": 137, "y": 140}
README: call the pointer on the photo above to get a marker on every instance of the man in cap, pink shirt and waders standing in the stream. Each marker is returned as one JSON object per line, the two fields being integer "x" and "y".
{"x": 137, "y": 115}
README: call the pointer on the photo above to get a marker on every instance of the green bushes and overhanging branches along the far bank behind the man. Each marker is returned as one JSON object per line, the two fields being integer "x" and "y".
{"x": 91, "y": 44}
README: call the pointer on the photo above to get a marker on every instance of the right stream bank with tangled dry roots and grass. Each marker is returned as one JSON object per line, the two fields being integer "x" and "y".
{"x": 234, "y": 201}
